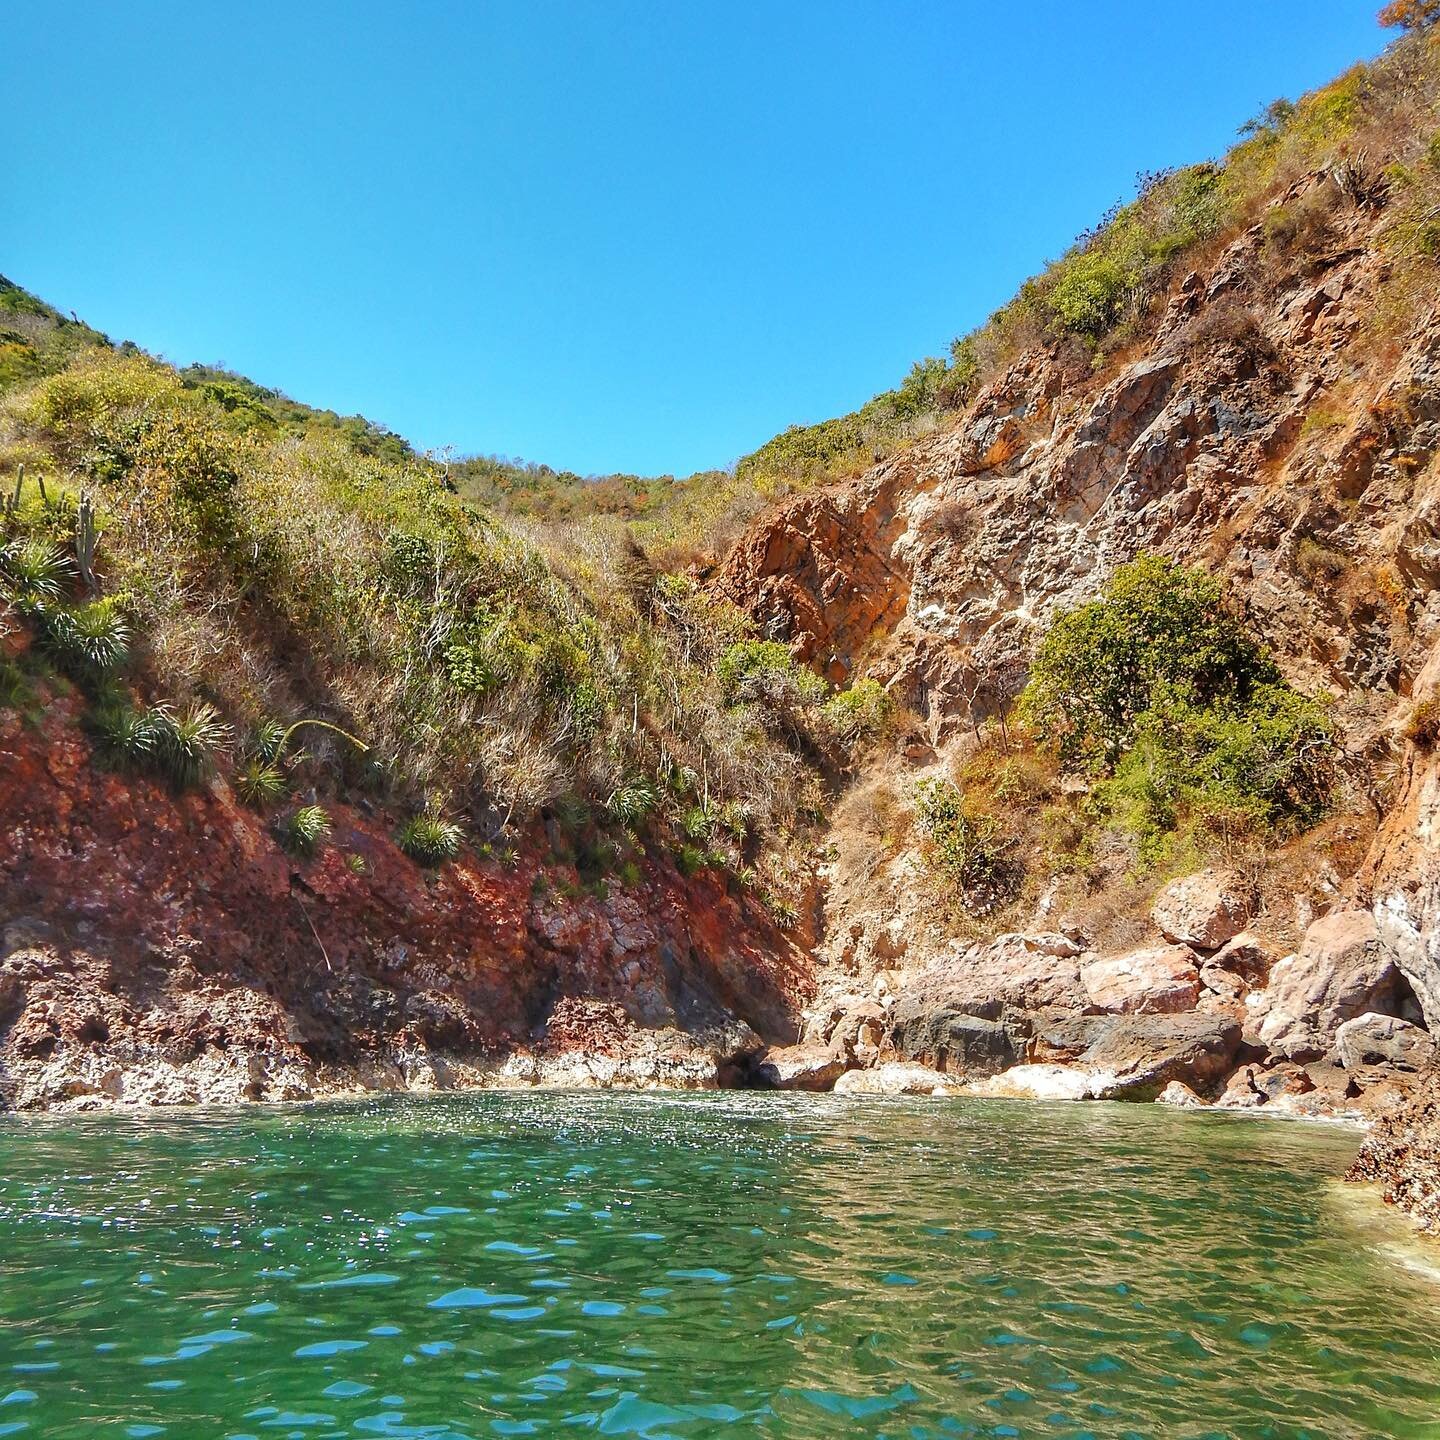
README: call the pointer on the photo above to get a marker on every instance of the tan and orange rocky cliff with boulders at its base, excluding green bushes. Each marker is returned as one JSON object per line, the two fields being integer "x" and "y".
{"x": 1274, "y": 431}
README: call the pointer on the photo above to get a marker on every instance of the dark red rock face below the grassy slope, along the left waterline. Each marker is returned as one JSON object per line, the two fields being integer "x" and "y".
{"x": 139, "y": 927}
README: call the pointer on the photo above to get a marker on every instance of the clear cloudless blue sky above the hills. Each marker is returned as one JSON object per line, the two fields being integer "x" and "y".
{"x": 606, "y": 234}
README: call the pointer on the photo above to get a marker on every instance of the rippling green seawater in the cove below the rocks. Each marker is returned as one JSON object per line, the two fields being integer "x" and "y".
{"x": 732, "y": 1265}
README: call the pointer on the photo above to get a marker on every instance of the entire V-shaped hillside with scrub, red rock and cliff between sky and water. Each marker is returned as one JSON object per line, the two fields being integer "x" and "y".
{"x": 1063, "y": 722}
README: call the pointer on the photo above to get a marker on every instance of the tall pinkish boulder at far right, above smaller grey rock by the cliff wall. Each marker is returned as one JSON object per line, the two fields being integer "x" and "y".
{"x": 1341, "y": 973}
